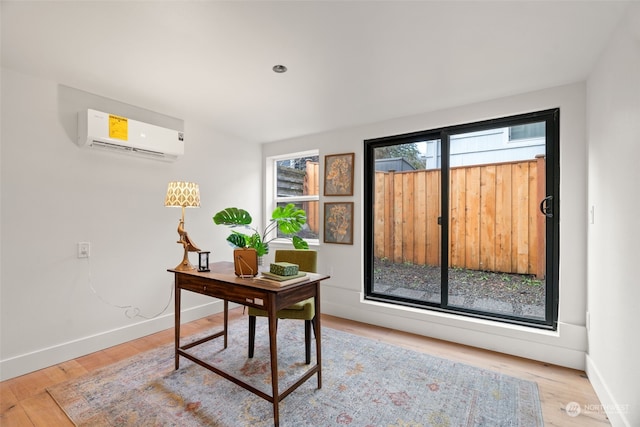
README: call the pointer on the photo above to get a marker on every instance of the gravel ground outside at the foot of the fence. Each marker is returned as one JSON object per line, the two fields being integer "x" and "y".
{"x": 504, "y": 293}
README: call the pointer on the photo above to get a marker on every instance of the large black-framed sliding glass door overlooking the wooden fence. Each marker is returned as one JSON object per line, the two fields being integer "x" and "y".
{"x": 462, "y": 220}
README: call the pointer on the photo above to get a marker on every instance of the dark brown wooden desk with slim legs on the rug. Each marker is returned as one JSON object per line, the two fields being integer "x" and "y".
{"x": 221, "y": 282}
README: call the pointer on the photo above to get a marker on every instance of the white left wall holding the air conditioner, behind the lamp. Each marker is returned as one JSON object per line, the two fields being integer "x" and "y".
{"x": 55, "y": 194}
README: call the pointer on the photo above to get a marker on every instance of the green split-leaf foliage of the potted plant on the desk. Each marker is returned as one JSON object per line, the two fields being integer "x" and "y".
{"x": 288, "y": 219}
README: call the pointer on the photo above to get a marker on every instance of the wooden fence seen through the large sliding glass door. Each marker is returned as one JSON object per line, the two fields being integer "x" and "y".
{"x": 494, "y": 222}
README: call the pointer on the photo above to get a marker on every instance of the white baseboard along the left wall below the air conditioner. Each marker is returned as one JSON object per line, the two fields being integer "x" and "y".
{"x": 42, "y": 358}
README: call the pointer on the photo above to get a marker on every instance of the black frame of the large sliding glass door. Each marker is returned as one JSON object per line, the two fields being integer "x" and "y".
{"x": 552, "y": 153}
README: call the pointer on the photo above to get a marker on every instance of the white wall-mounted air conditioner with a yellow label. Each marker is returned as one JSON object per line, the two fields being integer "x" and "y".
{"x": 119, "y": 134}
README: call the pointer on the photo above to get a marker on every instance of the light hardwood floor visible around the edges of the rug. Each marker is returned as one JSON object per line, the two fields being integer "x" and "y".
{"x": 24, "y": 401}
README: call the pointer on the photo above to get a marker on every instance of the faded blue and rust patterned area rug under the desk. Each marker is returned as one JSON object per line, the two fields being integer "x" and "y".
{"x": 364, "y": 383}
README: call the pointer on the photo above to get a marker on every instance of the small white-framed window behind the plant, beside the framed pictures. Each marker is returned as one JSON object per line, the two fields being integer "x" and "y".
{"x": 295, "y": 179}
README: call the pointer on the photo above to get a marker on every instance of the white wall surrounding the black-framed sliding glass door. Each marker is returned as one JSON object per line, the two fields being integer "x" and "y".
{"x": 343, "y": 293}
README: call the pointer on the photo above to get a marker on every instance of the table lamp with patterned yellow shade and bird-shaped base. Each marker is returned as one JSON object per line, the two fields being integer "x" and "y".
{"x": 184, "y": 195}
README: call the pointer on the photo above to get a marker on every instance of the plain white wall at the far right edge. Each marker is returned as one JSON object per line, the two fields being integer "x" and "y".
{"x": 613, "y": 105}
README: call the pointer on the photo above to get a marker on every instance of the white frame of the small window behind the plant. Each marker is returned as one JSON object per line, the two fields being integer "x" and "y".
{"x": 271, "y": 182}
